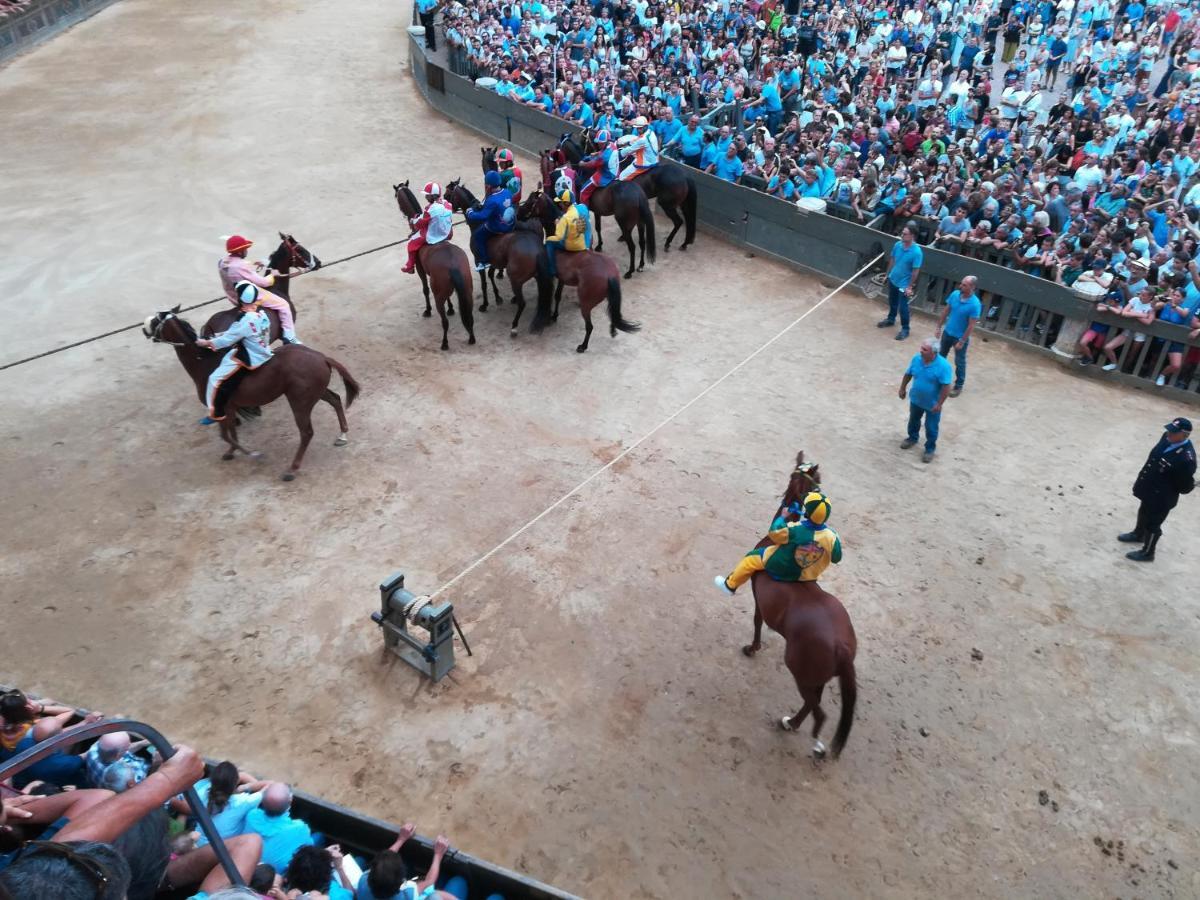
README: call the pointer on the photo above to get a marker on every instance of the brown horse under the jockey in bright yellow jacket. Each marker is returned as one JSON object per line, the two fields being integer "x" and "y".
{"x": 593, "y": 275}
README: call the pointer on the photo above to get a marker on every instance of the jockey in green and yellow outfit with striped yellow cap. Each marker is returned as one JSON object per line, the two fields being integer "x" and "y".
{"x": 799, "y": 551}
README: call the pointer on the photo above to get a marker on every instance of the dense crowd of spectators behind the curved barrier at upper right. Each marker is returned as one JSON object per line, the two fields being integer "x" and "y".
{"x": 1041, "y": 135}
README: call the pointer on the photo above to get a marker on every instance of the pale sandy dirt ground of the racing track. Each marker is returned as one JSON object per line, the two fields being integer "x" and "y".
{"x": 608, "y": 736}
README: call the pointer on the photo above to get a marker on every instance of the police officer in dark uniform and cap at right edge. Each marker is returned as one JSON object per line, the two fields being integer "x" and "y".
{"x": 1169, "y": 472}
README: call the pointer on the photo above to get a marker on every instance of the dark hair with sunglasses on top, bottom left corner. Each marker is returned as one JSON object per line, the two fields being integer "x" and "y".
{"x": 44, "y": 873}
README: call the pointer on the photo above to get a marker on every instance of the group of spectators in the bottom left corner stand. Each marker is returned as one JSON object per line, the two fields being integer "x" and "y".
{"x": 111, "y": 823}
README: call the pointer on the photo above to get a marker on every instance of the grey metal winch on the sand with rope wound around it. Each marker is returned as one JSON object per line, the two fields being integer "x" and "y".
{"x": 401, "y": 613}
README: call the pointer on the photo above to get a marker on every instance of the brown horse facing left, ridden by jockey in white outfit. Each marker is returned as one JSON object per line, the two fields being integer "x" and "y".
{"x": 301, "y": 374}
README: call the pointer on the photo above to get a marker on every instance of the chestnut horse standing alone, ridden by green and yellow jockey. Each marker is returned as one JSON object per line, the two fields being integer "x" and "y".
{"x": 815, "y": 626}
